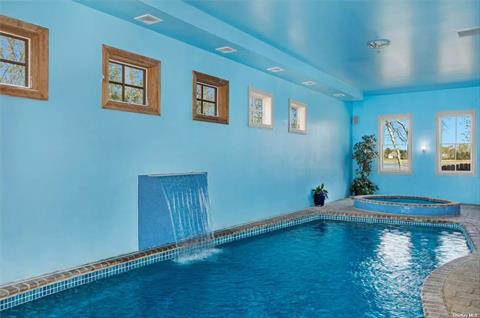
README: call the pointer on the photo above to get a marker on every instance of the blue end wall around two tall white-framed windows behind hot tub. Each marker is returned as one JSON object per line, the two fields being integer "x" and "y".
{"x": 423, "y": 107}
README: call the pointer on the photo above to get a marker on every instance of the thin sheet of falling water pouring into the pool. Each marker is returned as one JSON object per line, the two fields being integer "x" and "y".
{"x": 188, "y": 203}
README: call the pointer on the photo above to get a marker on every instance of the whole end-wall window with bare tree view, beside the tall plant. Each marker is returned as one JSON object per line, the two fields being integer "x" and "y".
{"x": 395, "y": 144}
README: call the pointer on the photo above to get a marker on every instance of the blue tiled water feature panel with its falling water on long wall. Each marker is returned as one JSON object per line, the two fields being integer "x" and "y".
{"x": 172, "y": 209}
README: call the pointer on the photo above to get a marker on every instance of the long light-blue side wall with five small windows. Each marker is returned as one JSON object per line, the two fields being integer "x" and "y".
{"x": 69, "y": 168}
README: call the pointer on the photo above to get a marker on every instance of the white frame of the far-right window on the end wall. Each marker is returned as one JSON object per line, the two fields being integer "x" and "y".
{"x": 438, "y": 152}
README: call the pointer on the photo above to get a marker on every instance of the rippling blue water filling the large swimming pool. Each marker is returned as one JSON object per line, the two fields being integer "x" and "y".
{"x": 320, "y": 269}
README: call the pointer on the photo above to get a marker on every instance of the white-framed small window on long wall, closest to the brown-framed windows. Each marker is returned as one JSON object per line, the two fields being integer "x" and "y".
{"x": 260, "y": 109}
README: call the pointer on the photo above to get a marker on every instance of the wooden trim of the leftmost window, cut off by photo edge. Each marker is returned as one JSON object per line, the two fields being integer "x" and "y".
{"x": 37, "y": 73}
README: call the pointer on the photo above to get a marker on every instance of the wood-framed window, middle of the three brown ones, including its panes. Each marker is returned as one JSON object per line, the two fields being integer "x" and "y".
{"x": 131, "y": 82}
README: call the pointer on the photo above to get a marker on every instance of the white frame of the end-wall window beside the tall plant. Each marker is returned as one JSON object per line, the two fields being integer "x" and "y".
{"x": 381, "y": 121}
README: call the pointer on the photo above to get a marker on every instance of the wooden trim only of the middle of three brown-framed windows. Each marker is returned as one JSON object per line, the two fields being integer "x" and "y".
{"x": 152, "y": 85}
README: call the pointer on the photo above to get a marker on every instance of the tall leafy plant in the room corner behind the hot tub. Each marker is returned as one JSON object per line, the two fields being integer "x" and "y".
{"x": 364, "y": 153}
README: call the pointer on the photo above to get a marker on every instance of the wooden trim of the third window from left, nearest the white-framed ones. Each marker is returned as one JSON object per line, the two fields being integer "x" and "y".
{"x": 222, "y": 87}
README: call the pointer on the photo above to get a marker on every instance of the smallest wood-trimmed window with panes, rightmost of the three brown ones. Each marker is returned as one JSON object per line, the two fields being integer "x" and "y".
{"x": 210, "y": 98}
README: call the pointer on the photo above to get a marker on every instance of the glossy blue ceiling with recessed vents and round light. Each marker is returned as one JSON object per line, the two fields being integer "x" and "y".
{"x": 325, "y": 41}
